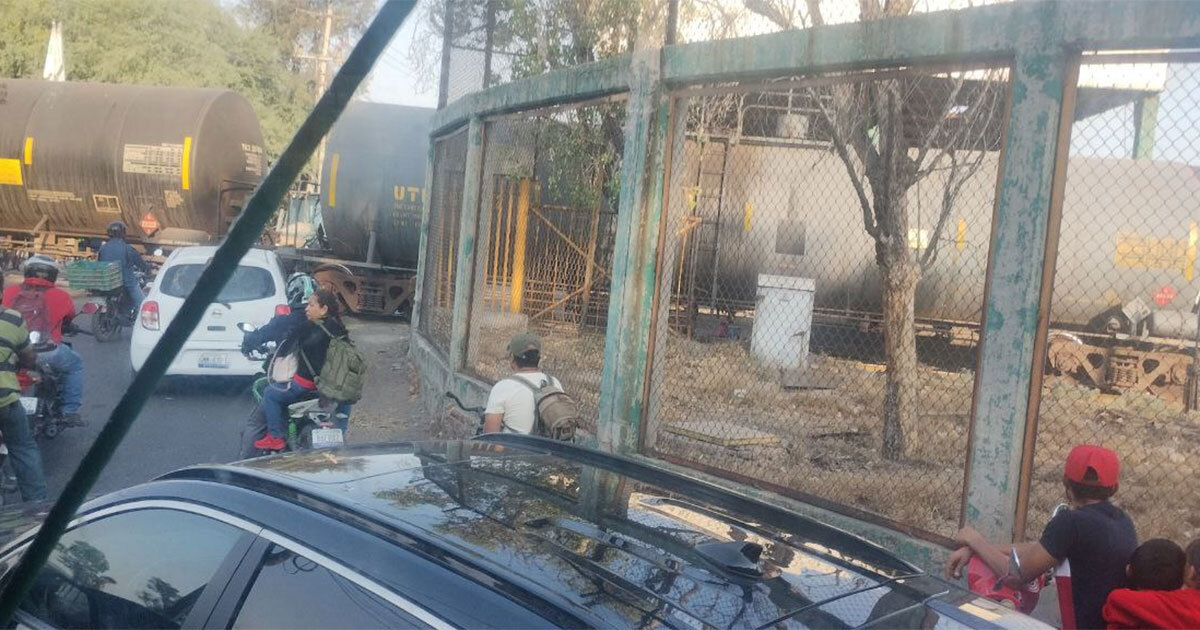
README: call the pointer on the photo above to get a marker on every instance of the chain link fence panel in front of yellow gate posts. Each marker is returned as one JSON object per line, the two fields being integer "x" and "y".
{"x": 548, "y": 217}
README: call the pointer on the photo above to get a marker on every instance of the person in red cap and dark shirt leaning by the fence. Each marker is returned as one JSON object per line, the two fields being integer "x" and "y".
{"x": 1095, "y": 536}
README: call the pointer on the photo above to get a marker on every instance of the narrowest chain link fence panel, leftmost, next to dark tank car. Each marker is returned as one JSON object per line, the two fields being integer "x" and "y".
{"x": 442, "y": 247}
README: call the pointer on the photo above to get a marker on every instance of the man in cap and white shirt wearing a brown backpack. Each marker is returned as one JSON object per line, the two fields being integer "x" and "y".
{"x": 530, "y": 401}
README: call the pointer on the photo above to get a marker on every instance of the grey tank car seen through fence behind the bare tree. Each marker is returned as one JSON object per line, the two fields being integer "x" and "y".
{"x": 1126, "y": 287}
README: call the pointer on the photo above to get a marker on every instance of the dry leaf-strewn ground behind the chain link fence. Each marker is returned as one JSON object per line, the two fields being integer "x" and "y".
{"x": 829, "y": 431}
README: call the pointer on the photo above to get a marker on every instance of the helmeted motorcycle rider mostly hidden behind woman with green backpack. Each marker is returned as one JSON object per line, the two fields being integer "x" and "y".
{"x": 283, "y": 329}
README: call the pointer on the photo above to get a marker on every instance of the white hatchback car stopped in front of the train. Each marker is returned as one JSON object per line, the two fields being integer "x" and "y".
{"x": 254, "y": 295}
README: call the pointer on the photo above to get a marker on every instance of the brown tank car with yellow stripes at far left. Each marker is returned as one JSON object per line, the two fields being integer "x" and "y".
{"x": 175, "y": 164}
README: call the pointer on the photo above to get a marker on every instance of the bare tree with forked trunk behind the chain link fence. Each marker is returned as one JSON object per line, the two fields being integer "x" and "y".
{"x": 891, "y": 134}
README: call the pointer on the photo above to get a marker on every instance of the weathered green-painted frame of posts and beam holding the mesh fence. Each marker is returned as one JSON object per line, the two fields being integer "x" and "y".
{"x": 1041, "y": 41}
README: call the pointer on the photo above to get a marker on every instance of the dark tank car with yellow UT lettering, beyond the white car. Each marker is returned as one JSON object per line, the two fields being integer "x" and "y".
{"x": 373, "y": 190}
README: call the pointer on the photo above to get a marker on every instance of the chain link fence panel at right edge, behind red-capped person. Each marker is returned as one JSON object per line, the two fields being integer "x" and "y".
{"x": 1124, "y": 327}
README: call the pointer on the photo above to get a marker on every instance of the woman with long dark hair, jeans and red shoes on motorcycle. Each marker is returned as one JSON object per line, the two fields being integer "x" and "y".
{"x": 311, "y": 340}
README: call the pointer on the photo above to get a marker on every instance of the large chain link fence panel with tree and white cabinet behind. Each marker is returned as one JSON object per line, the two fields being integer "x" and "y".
{"x": 821, "y": 287}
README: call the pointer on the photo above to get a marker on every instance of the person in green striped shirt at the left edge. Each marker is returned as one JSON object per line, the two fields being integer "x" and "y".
{"x": 27, "y": 459}
